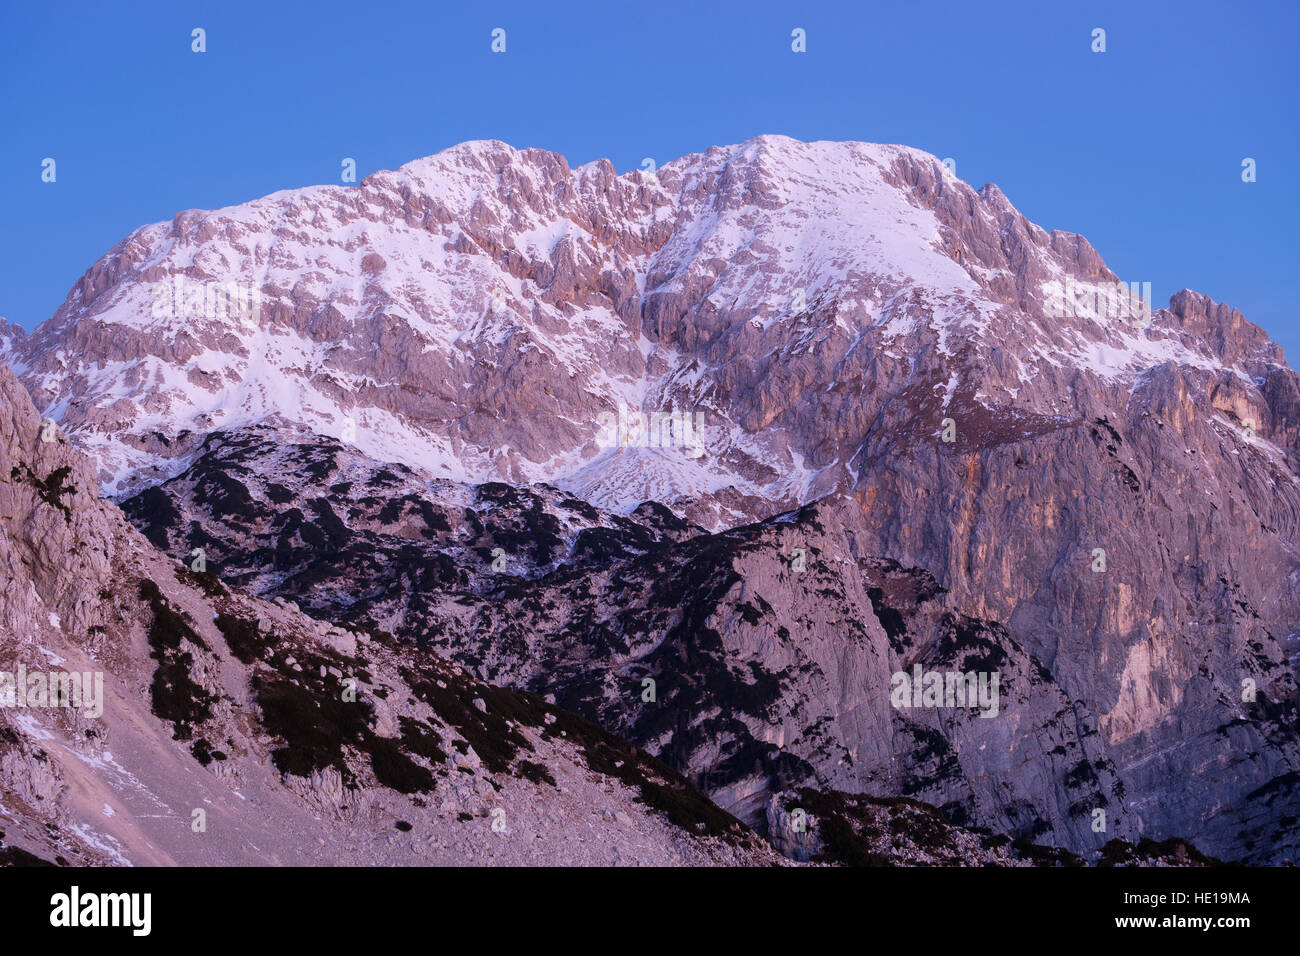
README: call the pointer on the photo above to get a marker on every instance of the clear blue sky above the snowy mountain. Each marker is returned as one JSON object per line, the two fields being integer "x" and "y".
{"x": 1139, "y": 149}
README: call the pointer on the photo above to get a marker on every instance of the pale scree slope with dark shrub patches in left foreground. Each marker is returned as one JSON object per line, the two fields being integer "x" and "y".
{"x": 231, "y": 730}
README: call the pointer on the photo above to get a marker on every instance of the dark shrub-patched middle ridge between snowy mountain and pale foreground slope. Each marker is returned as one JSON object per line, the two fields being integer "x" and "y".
{"x": 753, "y": 660}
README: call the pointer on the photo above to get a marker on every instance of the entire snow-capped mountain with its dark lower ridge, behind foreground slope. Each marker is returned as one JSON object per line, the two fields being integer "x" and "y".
{"x": 985, "y": 452}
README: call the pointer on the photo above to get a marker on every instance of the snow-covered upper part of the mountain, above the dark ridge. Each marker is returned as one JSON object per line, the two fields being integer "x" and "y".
{"x": 476, "y": 313}
